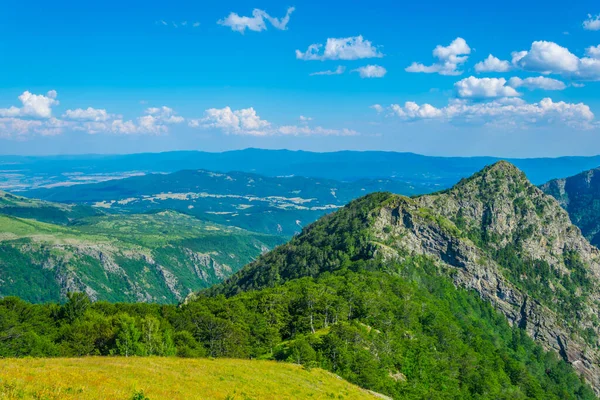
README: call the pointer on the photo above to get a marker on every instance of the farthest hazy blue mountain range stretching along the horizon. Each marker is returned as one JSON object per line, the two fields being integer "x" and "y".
{"x": 430, "y": 173}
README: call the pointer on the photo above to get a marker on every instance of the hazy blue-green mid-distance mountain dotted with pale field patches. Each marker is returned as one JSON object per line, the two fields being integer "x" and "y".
{"x": 272, "y": 205}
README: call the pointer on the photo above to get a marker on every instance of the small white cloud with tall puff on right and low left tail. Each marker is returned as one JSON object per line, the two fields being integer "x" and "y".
{"x": 449, "y": 59}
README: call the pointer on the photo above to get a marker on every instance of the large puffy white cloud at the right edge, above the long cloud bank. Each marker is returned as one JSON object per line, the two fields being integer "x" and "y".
{"x": 551, "y": 58}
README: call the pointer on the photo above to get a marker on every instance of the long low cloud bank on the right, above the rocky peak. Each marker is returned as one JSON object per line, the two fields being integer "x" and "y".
{"x": 505, "y": 110}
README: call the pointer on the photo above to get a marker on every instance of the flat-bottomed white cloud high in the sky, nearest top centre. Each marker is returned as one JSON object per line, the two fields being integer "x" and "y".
{"x": 350, "y": 48}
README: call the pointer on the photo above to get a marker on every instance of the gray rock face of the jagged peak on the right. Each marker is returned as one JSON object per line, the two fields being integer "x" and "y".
{"x": 502, "y": 205}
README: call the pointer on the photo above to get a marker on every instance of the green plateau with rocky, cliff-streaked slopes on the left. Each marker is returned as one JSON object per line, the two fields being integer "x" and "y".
{"x": 156, "y": 257}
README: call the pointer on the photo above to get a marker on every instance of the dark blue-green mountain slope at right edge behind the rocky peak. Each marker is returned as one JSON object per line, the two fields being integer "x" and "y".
{"x": 580, "y": 196}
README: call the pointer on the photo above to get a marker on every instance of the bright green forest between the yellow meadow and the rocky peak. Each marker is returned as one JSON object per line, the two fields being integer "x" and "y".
{"x": 406, "y": 332}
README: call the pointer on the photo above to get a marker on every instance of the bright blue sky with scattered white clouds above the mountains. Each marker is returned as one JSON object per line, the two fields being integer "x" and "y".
{"x": 516, "y": 79}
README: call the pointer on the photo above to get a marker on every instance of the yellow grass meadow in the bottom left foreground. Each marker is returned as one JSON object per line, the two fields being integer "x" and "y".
{"x": 168, "y": 378}
